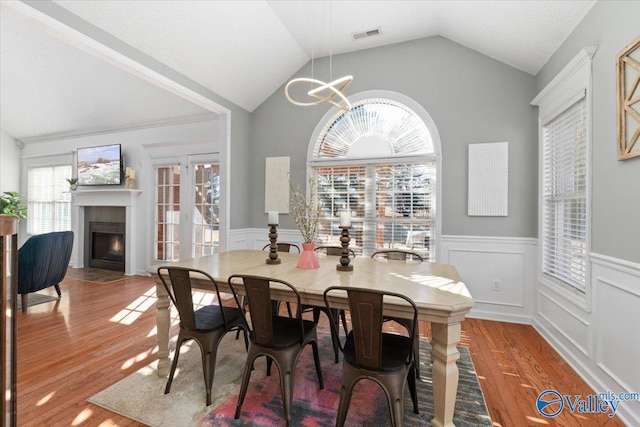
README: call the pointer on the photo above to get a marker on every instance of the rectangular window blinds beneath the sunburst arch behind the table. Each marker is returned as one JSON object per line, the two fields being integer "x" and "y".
{"x": 393, "y": 206}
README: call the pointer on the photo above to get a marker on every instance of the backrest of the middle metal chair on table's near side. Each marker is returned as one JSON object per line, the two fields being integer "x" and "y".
{"x": 258, "y": 291}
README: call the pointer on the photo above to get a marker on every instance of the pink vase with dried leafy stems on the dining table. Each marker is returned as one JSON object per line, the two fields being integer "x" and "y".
{"x": 306, "y": 214}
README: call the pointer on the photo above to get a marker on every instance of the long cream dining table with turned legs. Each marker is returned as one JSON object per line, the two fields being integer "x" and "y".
{"x": 437, "y": 290}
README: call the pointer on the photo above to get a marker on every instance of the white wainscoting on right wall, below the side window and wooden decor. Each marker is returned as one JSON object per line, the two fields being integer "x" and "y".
{"x": 602, "y": 343}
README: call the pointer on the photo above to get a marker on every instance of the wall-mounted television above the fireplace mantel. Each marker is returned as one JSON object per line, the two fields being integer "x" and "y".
{"x": 100, "y": 165}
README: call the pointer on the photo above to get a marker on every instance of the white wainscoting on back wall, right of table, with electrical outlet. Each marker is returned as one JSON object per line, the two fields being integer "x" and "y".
{"x": 499, "y": 273}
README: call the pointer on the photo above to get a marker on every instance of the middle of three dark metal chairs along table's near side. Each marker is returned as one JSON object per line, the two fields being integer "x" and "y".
{"x": 279, "y": 338}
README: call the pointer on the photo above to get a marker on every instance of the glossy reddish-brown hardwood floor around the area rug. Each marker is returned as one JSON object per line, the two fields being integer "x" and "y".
{"x": 97, "y": 334}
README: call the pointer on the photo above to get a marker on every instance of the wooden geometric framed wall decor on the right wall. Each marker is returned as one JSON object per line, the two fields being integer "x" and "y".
{"x": 628, "y": 76}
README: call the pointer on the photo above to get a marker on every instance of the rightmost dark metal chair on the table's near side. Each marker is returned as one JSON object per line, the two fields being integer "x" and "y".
{"x": 370, "y": 353}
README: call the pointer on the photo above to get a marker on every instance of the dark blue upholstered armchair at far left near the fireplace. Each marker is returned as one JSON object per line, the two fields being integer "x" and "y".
{"x": 42, "y": 262}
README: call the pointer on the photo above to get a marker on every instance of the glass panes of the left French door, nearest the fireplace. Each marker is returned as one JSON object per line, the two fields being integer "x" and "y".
{"x": 168, "y": 213}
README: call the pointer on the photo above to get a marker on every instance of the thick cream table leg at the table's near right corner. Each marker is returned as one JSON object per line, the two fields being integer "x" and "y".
{"x": 444, "y": 353}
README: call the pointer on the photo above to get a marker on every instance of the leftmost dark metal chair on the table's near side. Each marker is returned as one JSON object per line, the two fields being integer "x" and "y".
{"x": 205, "y": 325}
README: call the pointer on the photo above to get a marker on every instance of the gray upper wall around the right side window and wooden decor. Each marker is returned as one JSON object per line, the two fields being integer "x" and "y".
{"x": 615, "y": 227}
